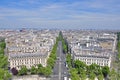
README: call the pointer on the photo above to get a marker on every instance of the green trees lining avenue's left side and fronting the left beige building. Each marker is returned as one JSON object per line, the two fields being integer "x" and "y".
{"x": 45, "y": 71}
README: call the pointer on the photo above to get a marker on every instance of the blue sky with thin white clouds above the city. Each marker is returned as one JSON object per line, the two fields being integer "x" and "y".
{"x": 60, "y": 14}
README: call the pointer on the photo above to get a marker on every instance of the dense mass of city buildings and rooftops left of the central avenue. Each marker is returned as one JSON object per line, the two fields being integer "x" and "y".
{"x": 29, "y": 47}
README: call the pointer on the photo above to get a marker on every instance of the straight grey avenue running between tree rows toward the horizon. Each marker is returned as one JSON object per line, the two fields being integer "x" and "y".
{"x": 60, "y": 70}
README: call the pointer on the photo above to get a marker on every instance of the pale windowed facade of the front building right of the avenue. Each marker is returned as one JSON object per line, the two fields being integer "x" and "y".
{"x": 91, "y": 59}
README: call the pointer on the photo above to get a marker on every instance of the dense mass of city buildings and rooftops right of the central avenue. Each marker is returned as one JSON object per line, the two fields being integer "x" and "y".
{"x": 91, "y": 46}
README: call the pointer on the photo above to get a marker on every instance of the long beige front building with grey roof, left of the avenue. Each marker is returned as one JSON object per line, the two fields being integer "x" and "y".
{"x": 27, "y": 59}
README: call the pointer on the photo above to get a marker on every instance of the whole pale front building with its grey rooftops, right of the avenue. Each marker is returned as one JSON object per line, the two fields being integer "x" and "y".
{"x": 102, "y": 58}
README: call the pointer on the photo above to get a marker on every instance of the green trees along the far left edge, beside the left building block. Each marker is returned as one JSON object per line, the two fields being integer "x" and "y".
{"x": 4, "y": 73}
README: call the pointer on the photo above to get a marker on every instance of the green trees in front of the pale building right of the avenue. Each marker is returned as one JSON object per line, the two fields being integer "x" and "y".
{"x": 80, "y": 71}
